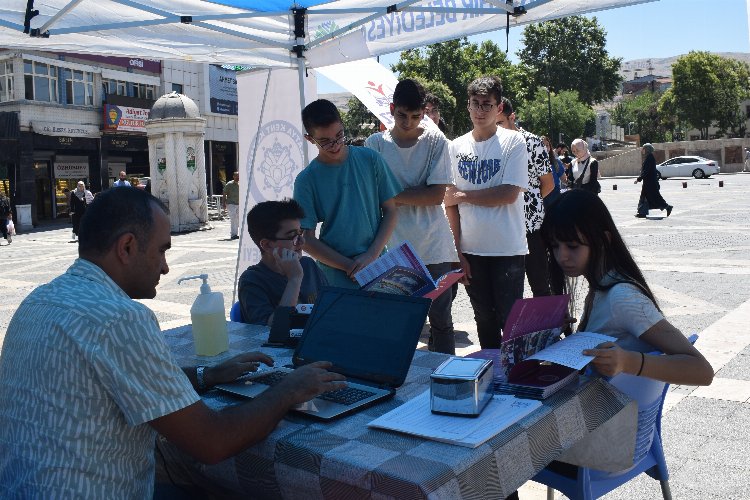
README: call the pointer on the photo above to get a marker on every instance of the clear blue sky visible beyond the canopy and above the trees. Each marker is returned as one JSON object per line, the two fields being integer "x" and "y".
{"x": 659, "y": 29}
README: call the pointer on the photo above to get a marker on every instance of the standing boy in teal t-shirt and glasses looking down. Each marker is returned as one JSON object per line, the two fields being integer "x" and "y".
{"x": 350, "y": 191}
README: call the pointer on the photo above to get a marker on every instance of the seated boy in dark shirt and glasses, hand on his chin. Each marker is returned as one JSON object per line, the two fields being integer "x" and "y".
{"x": 283, "y": 277}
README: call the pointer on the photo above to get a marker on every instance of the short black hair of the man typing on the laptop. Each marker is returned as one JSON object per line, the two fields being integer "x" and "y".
{"x": 115, "y": 212}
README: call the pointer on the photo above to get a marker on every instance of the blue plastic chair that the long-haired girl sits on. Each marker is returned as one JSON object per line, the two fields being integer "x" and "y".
{"x": 648, "y": 456}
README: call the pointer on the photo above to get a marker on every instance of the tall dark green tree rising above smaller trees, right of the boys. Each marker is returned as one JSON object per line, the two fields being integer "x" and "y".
{"x": 569, "y": 54}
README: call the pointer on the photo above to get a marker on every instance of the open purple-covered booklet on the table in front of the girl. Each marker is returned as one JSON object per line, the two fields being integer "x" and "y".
{"x": 533, "y": 361}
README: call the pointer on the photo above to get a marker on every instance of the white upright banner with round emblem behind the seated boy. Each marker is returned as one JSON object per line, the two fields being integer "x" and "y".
{"x": 271, "y": 142}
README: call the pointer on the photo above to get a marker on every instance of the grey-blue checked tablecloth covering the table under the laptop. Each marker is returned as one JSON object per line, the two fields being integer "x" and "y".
{"x": 304, "y": 458}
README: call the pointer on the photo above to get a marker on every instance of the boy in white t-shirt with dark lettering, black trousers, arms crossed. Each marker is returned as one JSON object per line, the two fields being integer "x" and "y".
{"x": 486, "y": 210}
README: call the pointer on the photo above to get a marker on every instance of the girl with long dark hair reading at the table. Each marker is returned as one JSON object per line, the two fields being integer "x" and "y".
{"x": 581, "y": 235}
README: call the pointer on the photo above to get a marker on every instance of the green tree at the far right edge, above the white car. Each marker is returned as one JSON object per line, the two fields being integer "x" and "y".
{"x": 708, "y": 89}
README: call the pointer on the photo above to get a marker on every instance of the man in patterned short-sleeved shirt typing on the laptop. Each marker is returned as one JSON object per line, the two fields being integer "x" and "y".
{"x": 86, "y": 379}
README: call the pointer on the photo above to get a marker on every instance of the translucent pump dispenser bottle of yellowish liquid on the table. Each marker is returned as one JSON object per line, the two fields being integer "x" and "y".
{"x": 209, "y": 321}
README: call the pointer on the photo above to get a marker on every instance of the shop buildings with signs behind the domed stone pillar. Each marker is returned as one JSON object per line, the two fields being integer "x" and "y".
{"x": 66, "y": 118}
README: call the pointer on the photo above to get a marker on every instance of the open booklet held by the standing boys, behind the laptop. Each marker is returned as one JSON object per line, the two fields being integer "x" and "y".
{"x": 401, "y": 271}
